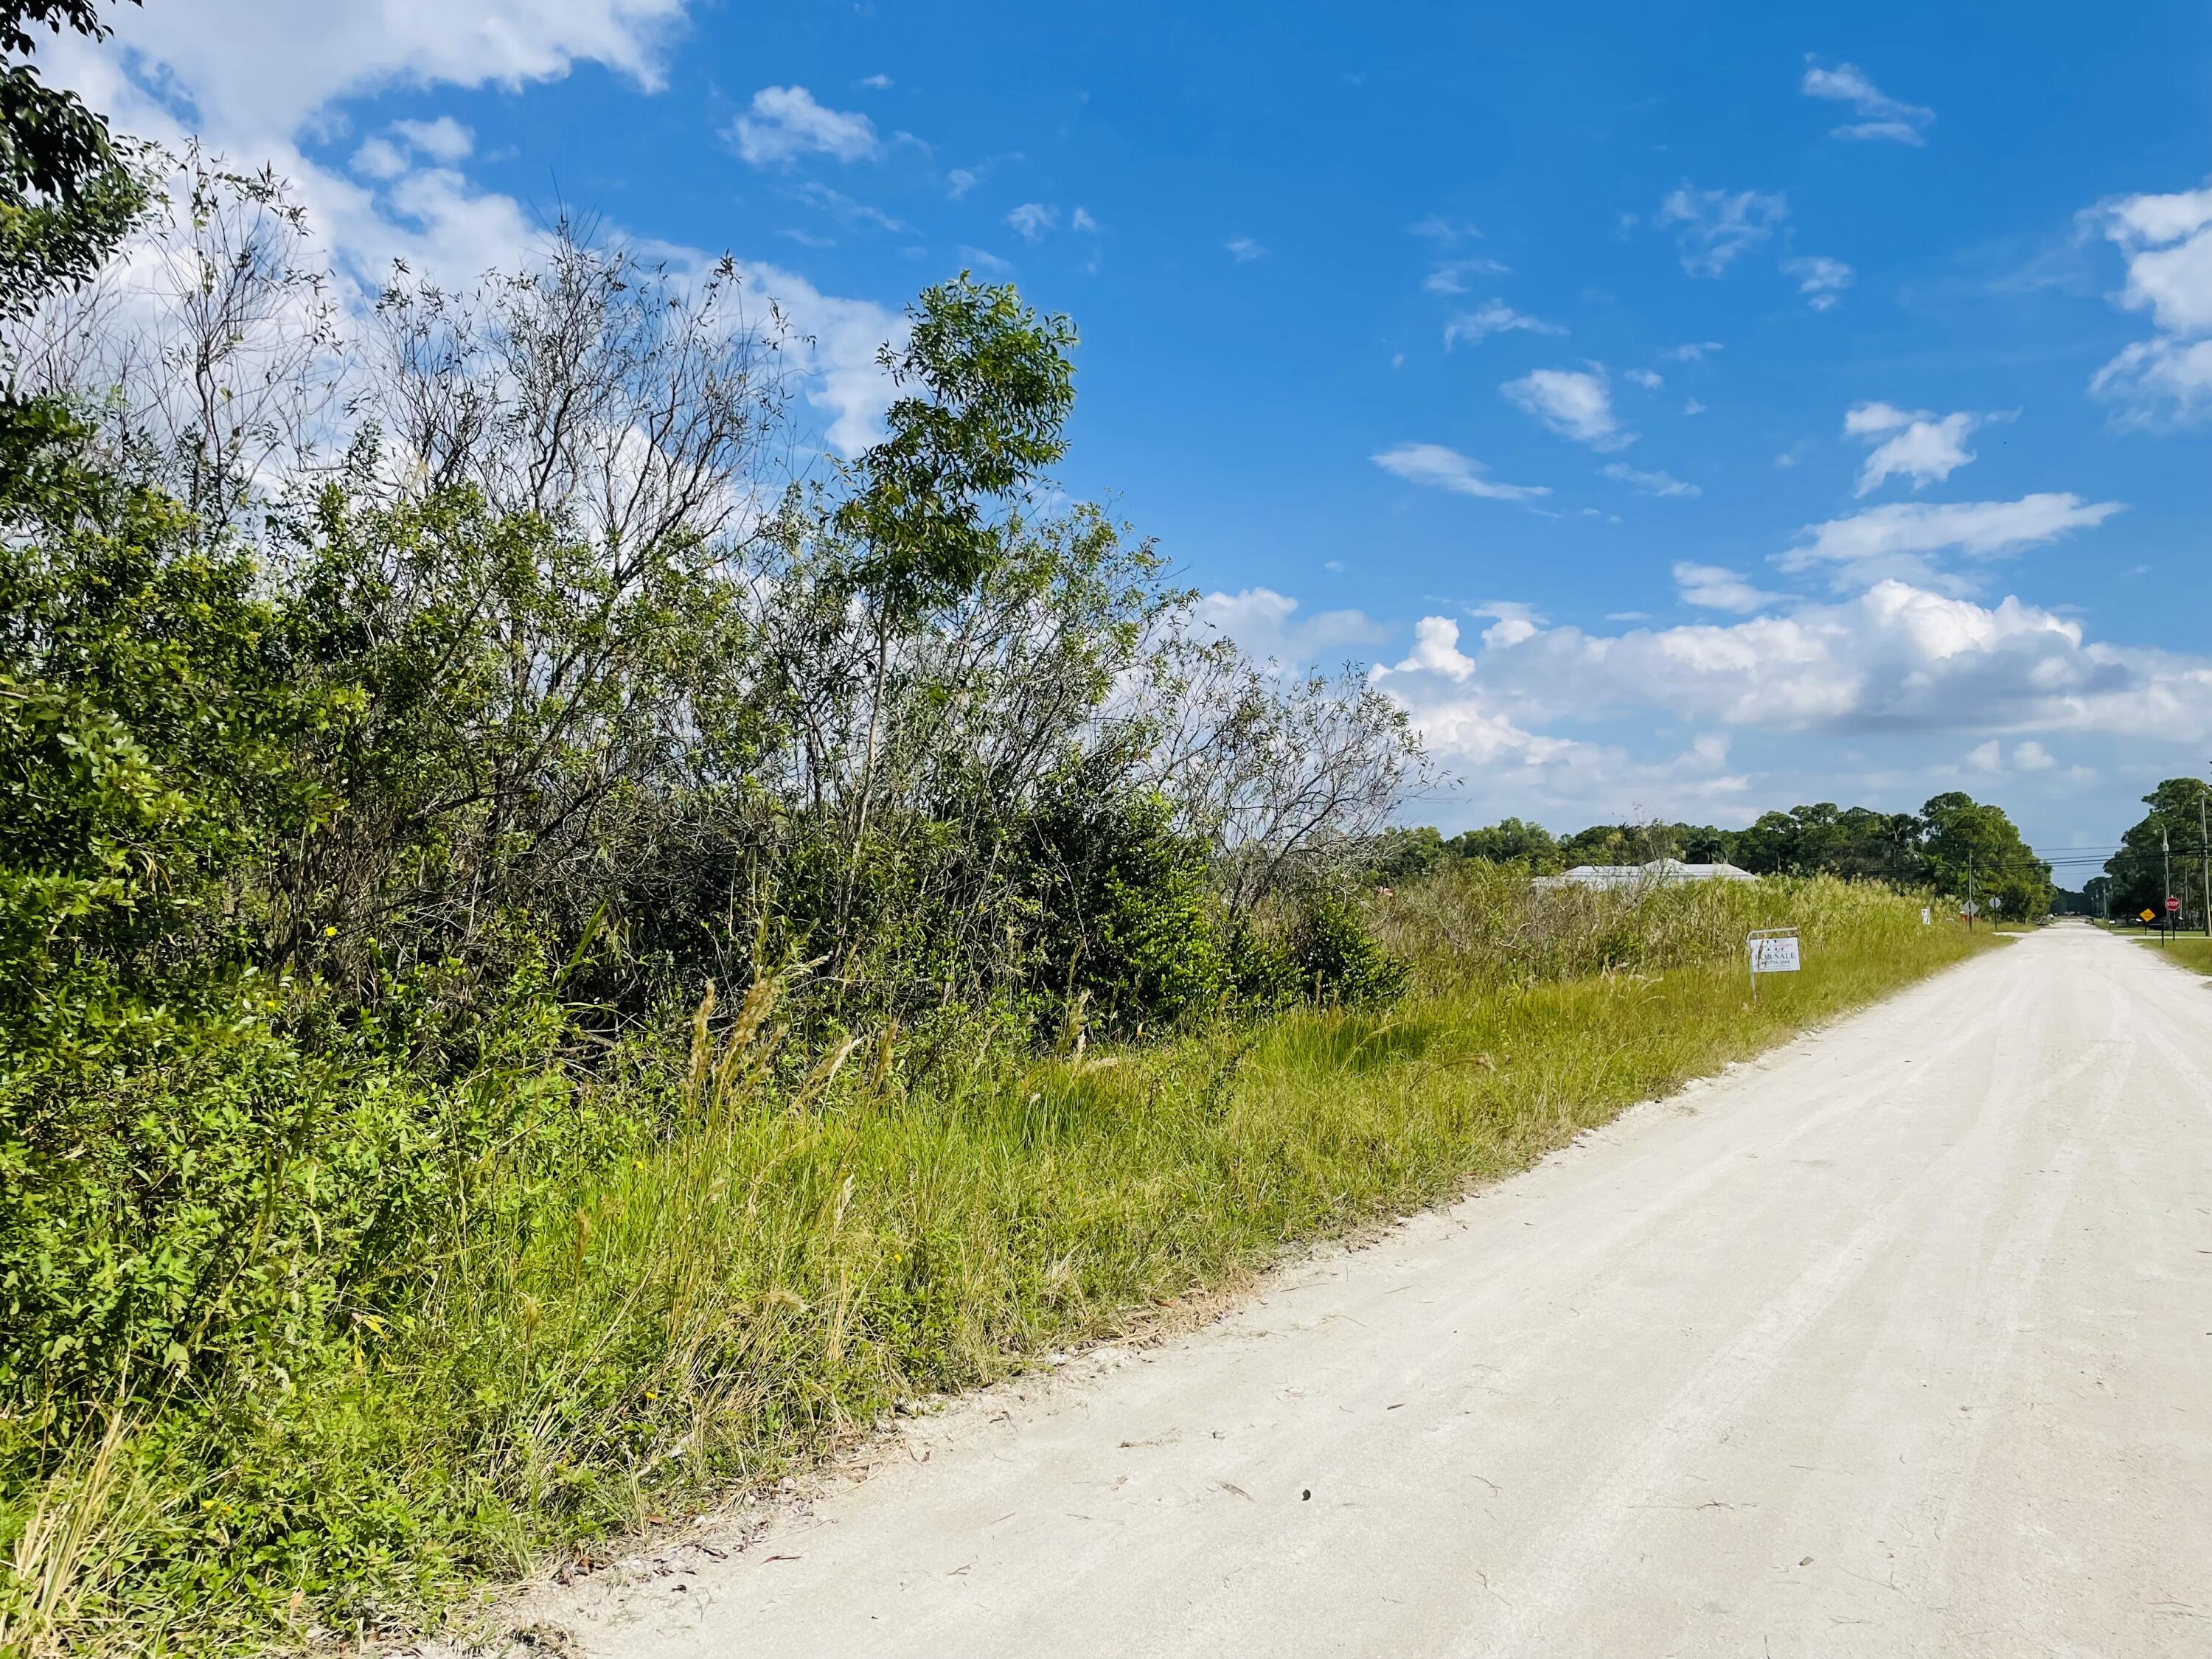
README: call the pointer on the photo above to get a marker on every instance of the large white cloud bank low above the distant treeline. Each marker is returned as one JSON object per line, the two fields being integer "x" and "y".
{"x": 1899, "y": 665}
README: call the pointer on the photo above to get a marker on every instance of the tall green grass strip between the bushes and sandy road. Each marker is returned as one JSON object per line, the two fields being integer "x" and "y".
{"x": 766, "y": 1284}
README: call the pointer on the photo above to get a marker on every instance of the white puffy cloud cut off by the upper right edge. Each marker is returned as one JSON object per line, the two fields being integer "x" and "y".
{"x": 2169, "y": 249}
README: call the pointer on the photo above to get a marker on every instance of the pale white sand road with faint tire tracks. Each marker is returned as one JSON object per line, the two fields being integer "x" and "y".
{"x": 1892, "y": 1344}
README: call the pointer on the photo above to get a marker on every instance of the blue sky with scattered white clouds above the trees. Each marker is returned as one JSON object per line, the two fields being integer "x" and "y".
{"x": 1687, "y": 417}
